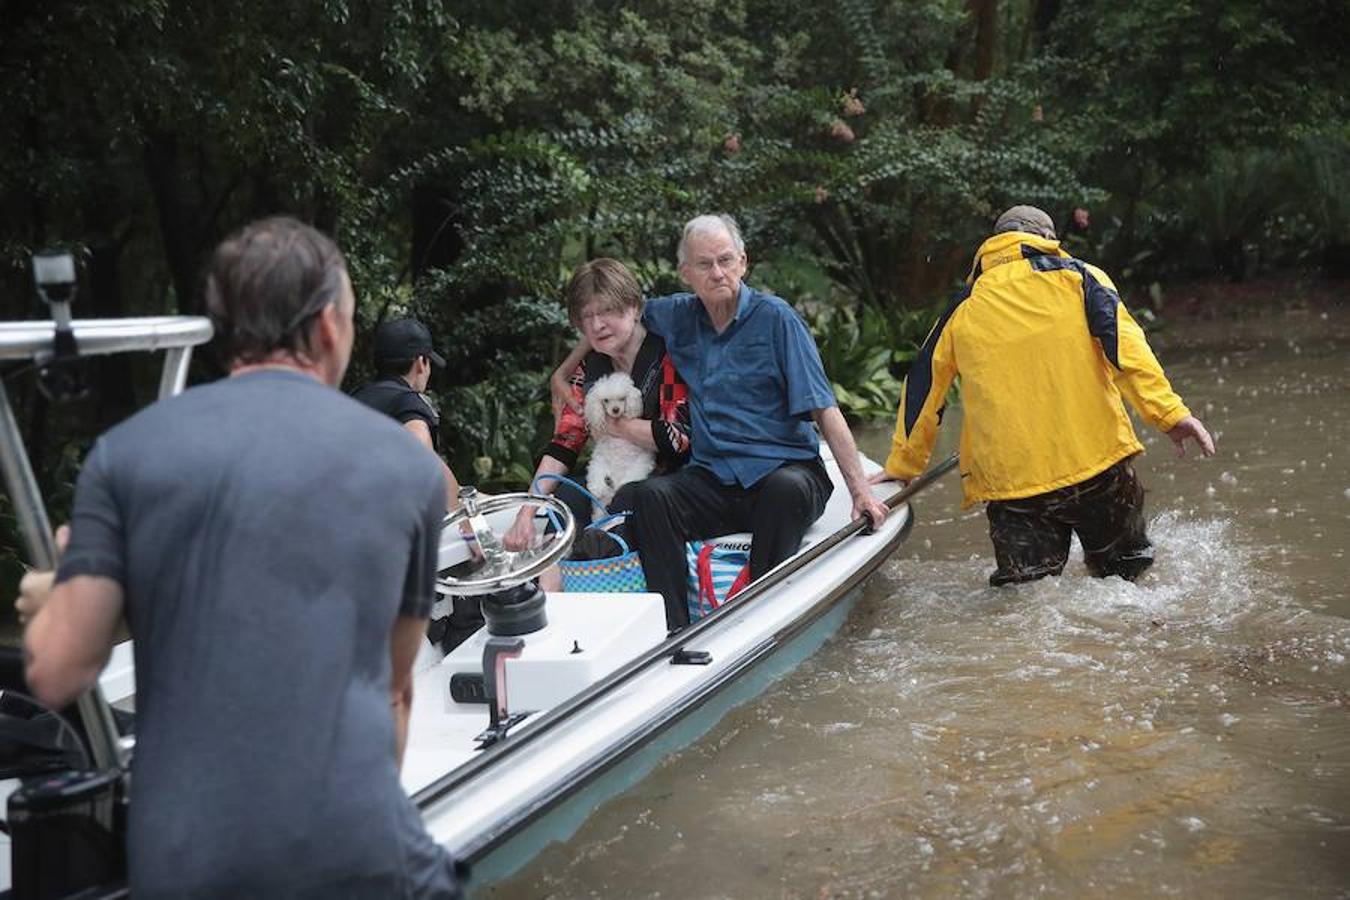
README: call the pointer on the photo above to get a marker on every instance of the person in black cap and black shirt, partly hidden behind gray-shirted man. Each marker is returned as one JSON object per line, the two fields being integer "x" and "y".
{"x": 404, "y": 360}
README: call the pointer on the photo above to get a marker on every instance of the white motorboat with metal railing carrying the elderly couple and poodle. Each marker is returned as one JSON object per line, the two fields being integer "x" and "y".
{"x": 520, "y": 732}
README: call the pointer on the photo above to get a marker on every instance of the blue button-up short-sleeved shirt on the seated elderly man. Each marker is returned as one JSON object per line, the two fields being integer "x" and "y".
{"x": 753, "y": 388}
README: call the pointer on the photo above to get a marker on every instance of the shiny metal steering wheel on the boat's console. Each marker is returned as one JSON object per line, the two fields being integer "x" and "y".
{"x": 503, "y": 569}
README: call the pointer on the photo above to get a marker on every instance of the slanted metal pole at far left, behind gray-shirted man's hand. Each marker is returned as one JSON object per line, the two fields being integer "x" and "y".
{"x": 95, "y": 713}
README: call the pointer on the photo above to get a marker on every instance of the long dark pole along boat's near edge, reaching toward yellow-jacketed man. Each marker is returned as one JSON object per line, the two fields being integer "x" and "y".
{"x": 669, "y": 648}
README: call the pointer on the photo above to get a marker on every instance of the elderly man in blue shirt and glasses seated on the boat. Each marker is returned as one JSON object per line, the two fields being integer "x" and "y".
{"x": 755, "y": 388}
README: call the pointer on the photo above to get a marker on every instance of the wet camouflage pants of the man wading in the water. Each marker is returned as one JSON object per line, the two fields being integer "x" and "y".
{"x": 1032, "y": 535}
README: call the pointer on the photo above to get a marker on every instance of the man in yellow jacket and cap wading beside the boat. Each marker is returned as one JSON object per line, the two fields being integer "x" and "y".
{"x": 1044, "y": 350}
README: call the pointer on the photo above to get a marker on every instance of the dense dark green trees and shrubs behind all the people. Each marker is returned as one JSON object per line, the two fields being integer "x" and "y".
{"x": 469, "y": 154}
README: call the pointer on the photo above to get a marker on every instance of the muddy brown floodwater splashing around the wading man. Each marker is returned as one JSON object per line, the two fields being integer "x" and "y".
{"x": 1187, "y": 736}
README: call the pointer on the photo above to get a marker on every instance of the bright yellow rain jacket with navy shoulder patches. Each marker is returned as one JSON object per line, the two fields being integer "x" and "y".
{"x": 1044, "y": 350}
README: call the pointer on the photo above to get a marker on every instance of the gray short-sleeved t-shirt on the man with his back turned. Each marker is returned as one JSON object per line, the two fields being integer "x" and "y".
{"x": 267, "y": 531}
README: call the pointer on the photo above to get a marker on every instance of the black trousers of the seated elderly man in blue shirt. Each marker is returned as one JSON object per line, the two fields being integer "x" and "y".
{"x": 692, "y": 505}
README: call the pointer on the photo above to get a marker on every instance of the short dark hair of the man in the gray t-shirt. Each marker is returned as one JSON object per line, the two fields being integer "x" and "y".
{"x": 267, "y": 284}
